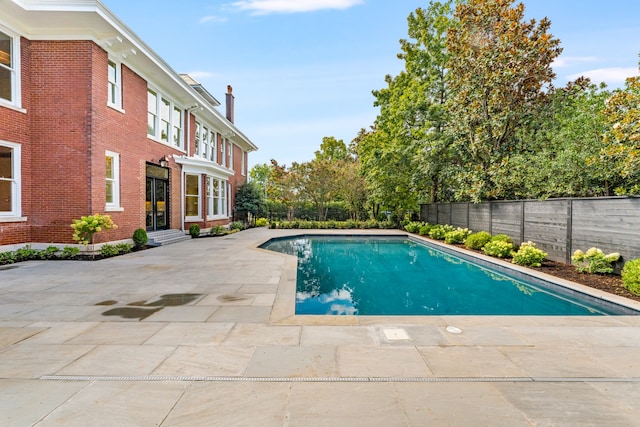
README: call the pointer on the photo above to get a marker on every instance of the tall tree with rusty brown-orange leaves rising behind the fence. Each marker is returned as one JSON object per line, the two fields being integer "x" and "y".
{"x": 500, "y": 69}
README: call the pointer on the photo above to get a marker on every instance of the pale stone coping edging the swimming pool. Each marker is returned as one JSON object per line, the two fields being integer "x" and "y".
{"x": 283, "y": 312}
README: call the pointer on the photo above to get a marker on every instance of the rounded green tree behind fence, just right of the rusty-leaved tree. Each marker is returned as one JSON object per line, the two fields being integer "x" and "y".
{"x": 554, "y": 148}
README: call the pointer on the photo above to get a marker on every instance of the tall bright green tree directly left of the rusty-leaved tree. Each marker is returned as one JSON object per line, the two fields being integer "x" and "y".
{"x": 402, "y": 157}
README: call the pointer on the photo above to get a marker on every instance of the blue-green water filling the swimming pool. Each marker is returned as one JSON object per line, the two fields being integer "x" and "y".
{"x": 343, "y": 275}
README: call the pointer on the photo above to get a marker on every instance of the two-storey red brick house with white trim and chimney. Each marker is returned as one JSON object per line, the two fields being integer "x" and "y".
{"x": 94, "y": 121}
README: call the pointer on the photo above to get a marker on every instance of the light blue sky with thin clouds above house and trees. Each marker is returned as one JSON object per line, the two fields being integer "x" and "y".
{"x": 302, "y": 70}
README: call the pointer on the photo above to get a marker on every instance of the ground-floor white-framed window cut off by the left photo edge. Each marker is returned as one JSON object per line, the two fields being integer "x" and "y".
{"x": 10, "y": 180}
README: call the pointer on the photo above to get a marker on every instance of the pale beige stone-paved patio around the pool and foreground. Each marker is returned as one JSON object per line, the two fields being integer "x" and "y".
{"x": 203, "y": 332}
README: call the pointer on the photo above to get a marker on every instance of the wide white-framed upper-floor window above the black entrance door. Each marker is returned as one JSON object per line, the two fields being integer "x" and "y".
{"x": 164, "y": 119}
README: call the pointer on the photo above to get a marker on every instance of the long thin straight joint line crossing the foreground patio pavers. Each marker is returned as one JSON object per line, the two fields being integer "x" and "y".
{"x": 344, "y": 379}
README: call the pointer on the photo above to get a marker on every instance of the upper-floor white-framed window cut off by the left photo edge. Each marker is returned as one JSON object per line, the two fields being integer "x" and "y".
{"x": 9, "y": 68}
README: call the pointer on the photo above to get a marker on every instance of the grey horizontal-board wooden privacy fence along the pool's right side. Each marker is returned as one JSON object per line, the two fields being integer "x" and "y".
{"x": 557, "y": 226}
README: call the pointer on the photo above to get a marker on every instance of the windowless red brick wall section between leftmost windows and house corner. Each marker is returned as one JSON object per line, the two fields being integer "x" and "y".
{"x": 60, "y": 117}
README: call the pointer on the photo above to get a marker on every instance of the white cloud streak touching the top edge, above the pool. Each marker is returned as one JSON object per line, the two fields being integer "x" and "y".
{"x": 264, "y": 7}
